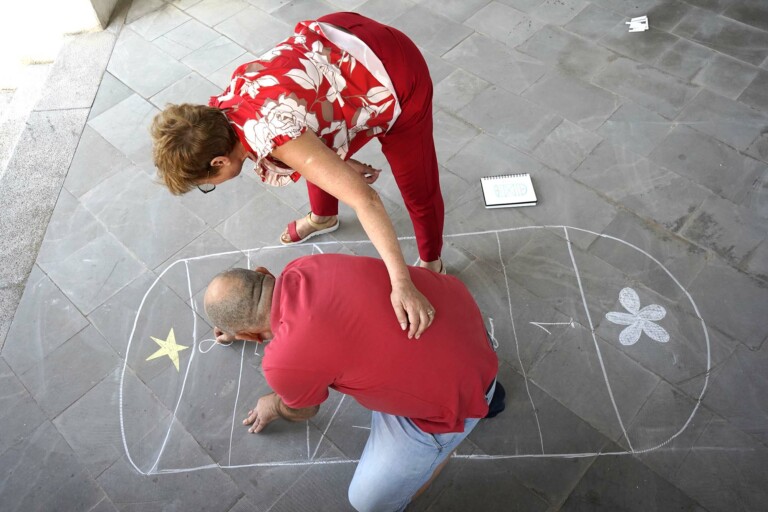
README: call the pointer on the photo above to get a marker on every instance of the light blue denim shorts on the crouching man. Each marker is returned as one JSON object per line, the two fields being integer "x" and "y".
{"x": 398, "y": 459}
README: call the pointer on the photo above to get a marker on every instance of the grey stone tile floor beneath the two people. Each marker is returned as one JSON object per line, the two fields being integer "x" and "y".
{"x": 648, "y": 151}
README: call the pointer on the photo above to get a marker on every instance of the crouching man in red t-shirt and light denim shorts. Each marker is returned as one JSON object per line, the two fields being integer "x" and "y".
{"x": 331, "y": 327}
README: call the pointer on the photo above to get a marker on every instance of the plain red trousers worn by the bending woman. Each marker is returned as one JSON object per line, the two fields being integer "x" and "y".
{"x": 409, "y": 145}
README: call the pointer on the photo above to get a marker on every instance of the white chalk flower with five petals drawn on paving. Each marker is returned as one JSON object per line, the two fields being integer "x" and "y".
{"x": 638, "y": 320}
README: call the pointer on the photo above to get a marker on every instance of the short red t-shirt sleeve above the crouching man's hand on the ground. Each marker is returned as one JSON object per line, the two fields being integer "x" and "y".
{"x": 298, "y": 388}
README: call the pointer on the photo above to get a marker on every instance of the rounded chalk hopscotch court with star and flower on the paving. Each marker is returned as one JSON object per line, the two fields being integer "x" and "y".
{"x": 551, "y": 305}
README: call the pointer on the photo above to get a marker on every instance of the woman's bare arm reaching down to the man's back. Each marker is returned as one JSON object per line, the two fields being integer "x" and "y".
{"x": 320, "y": 165}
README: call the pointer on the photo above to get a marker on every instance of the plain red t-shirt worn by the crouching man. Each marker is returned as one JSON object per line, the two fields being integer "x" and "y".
{"x": 334, "y": 327}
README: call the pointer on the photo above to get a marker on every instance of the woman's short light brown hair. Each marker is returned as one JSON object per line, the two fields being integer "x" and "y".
{"x": 185, "y": 139}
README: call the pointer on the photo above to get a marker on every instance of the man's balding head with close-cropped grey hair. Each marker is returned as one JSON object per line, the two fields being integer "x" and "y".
{"x": 239, "y": 300}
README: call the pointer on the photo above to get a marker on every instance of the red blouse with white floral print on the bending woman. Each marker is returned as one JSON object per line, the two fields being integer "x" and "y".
{"x": 305, "y": 83}
